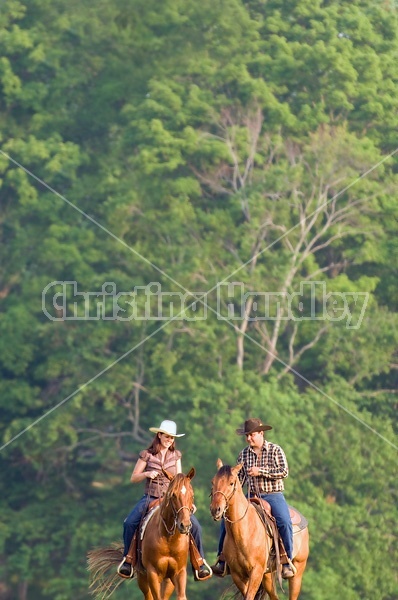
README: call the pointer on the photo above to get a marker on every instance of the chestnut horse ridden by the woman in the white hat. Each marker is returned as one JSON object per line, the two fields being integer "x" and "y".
{"x": 164, "y": 548}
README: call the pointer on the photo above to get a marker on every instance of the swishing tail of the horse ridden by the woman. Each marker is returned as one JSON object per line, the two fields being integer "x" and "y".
{"x": 101, "y": 565}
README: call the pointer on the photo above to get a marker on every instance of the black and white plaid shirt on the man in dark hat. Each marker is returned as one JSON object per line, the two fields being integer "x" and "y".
{"x": 273, "y": 469}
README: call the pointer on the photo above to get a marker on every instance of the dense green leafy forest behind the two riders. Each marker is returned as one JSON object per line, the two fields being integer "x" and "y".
{"x": 190, "y": 143}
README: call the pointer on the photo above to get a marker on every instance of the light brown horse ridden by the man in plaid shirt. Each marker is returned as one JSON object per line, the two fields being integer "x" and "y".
{"x": 247, "y": 545}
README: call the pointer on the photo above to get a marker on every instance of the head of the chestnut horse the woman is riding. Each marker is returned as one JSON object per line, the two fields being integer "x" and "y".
{"x": 178, "y": 503}
